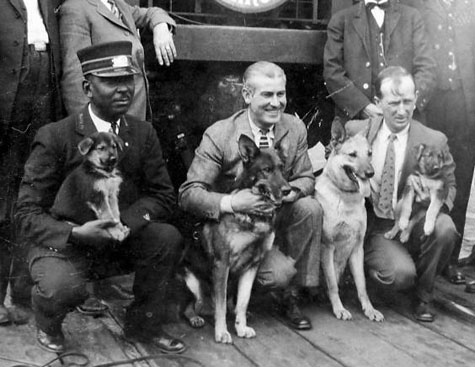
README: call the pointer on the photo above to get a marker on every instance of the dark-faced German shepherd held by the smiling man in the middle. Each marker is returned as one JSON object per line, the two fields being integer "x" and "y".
{"x": 236, "y": 244}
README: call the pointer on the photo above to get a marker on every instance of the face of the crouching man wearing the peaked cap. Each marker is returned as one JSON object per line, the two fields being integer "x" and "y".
{"x": 110, "y": 97}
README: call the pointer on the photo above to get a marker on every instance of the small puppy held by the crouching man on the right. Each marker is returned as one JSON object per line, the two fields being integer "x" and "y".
{"x": 428, "y": 182}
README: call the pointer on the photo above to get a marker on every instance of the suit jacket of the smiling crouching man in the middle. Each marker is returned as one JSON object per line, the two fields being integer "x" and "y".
{"x": 217, "y": 162}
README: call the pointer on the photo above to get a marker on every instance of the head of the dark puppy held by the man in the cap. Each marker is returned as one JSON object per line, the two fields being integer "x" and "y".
{"x": 101, "y": 150}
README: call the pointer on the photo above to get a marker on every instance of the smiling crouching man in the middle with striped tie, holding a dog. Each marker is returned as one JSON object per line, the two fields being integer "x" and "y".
{"x": 294, "y": 260}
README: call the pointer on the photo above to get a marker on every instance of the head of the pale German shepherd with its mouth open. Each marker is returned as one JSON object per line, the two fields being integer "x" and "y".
{"x": 349, "y": 164}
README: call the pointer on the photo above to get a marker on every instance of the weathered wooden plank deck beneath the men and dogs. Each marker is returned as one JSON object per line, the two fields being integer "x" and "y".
{"x": 397, "y": 342}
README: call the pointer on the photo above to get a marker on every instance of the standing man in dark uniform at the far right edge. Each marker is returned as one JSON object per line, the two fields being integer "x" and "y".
{"x": 451, "y": 28}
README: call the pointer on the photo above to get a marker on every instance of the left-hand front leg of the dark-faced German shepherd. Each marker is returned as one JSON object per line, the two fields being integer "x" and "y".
{"x": 220, "y": 282}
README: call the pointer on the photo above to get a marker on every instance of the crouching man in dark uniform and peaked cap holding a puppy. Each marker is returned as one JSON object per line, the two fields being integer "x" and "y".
{"x": 62, "y": 255}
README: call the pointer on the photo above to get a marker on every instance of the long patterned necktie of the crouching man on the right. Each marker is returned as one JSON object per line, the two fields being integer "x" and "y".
{"x": 385, "y": 201}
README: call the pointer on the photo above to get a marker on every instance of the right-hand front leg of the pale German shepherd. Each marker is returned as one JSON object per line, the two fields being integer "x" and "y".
{"x": 356, "y": 266}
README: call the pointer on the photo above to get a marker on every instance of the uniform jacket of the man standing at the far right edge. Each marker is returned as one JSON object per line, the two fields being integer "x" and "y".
{"x": 454, "y": 34}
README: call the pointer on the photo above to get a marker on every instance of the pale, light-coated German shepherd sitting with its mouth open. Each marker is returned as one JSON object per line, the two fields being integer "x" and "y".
{"x": 341, "y": 190}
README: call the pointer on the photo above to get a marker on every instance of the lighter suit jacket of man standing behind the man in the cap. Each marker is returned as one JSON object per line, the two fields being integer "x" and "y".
{"x": 87, "y": 22}
